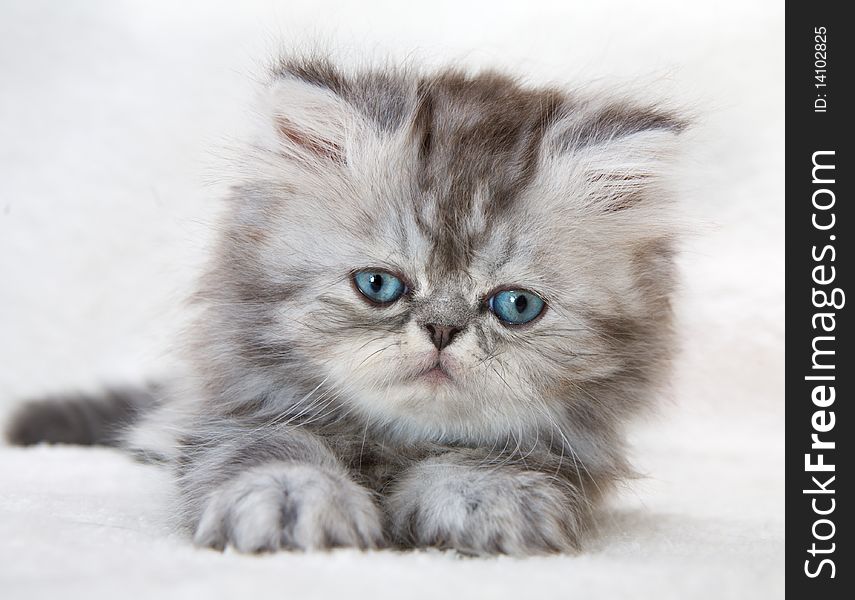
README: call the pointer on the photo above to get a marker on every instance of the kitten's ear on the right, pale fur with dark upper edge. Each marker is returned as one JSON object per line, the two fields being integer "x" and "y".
{"x": 619, "y": 154}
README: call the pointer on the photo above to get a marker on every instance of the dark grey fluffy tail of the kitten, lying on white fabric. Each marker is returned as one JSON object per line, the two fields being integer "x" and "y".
{"x": 81, "y": 419}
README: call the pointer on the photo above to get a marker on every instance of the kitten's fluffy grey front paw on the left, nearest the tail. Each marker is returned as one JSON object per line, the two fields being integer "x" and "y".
{"x": 289, "y": 506}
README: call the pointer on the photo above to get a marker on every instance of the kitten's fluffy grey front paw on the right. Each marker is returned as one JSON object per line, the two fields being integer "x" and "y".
{"x": 483, "y": 511}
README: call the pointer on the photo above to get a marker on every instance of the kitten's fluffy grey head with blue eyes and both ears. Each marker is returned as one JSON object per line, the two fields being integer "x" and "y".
{"x": 448, "y": 257}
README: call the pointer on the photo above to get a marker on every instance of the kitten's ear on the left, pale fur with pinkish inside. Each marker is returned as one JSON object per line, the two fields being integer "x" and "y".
{"x": 310, "y": 120}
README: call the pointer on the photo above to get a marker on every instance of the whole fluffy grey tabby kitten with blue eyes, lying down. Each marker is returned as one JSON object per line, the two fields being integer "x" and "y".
{"x": 435, "y": 302}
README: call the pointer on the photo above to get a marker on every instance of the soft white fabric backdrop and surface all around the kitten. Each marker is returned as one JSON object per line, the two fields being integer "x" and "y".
{"x": 113, "y": 115}
